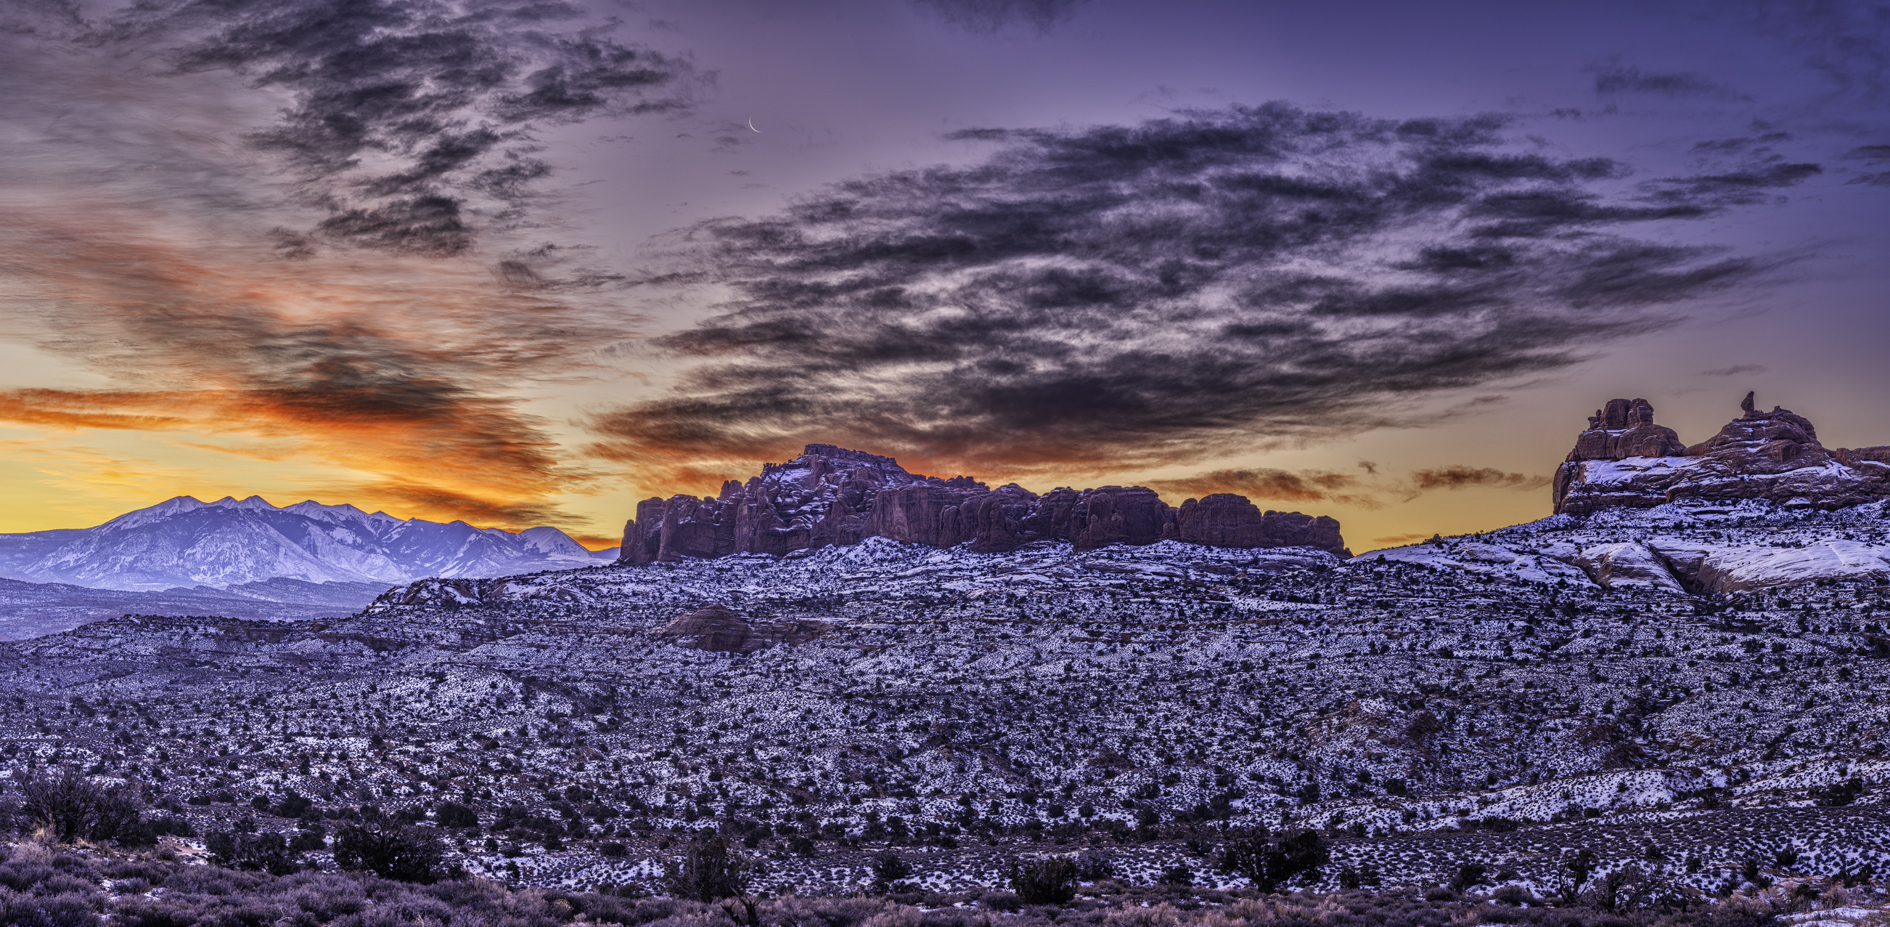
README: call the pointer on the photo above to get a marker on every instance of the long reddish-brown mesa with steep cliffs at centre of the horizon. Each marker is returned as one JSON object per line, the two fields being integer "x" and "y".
{"x": 836, "y": 497}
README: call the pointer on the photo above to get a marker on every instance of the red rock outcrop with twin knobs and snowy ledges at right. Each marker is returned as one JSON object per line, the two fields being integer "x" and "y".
{"x": 1626, "y": 461}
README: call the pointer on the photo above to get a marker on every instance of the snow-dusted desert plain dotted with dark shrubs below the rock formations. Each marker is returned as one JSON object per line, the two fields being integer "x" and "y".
{"x": 1494, "y": 699}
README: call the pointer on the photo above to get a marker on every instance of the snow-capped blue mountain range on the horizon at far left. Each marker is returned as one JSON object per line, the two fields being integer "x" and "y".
{"x": 233, "y": 542}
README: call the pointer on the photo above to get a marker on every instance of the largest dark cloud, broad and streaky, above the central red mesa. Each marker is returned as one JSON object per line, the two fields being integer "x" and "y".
{"x": 1135, "y": 296}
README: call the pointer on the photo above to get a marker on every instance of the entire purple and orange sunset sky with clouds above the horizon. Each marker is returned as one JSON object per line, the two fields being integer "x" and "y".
{"x": 528, "y": 262}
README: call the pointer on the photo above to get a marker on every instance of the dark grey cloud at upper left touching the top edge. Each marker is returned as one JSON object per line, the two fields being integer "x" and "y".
{"x": 413, "y": 122}
